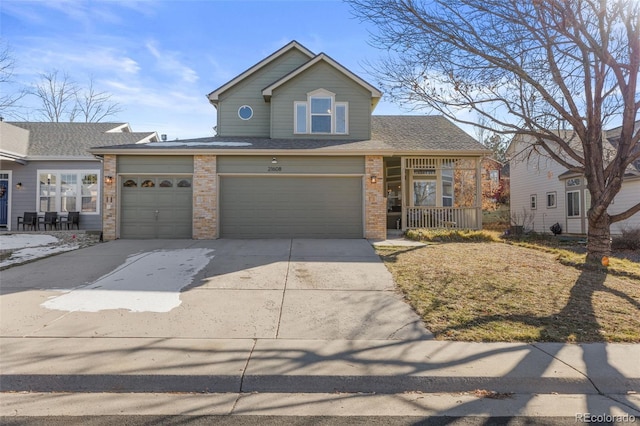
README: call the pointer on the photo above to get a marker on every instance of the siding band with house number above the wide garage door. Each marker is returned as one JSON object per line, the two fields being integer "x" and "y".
{"x": 291, "y": 165}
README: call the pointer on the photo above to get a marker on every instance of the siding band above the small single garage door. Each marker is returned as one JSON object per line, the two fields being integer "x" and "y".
{"x": 141, "y": 164}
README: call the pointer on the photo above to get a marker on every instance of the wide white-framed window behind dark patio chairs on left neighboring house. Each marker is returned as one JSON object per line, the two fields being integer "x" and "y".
{"x": 68, "y": 190}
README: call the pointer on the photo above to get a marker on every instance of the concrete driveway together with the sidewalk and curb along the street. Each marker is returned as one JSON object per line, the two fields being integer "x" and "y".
{"x": 309, "y": 323}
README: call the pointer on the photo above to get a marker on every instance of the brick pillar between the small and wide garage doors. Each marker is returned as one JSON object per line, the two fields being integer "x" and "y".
{"x": 205, "y": 201}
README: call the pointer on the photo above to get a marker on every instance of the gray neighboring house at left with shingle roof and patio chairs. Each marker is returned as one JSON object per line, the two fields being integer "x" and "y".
{"x": 46, "y": 167}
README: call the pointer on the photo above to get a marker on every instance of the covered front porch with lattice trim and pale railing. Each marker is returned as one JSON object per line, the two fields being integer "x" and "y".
{"x": 433, "y": 192}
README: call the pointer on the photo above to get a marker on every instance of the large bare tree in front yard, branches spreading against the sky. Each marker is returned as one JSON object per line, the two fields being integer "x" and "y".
{"x": 530, "y": 67}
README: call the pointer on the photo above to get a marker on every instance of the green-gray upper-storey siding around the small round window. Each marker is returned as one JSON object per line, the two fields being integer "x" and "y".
{"x": 249, "y": 92}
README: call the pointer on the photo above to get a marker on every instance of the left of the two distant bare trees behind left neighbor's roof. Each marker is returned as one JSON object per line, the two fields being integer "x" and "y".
{"x": 57, "y": 95}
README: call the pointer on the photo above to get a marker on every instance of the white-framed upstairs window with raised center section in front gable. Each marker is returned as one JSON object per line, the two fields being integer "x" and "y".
{"x": 321, "y": 114}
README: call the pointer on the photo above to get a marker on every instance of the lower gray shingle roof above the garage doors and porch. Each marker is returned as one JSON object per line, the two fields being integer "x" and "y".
{"x": 389, "y": 133}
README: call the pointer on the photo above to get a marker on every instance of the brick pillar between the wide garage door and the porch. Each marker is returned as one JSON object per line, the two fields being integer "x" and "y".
{"x": 375, "y": 203}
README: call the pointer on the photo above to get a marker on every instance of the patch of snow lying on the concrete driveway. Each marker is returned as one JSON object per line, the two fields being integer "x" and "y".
{"x": 147, "y": 282}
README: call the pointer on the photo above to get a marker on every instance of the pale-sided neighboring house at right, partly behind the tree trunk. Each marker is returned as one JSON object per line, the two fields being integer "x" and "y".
{"x": 543, "y": 192}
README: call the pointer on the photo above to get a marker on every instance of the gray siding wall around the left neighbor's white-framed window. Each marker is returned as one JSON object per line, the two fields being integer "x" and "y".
{"x": 26, "y": 199}
